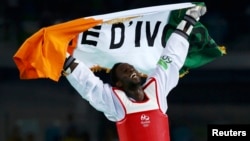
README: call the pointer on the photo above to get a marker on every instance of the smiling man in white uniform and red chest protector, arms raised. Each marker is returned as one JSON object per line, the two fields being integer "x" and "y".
{"x": 138, "y": 109}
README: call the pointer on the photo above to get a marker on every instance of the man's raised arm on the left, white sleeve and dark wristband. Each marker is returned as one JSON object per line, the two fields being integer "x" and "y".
{"x": 92, "y": 89}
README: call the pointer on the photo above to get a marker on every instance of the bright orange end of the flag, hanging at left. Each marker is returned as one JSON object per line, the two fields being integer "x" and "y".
{"x": 43, "y": 54}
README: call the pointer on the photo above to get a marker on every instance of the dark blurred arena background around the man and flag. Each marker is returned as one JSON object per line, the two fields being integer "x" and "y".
{"x": 43, "y": 110}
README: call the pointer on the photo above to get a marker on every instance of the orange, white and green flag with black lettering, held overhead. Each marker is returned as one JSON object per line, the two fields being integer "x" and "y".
{"x": 135, "y": 36}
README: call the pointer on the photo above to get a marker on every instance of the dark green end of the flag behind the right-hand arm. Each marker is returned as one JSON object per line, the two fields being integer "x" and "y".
{"x": 203, "y": 49}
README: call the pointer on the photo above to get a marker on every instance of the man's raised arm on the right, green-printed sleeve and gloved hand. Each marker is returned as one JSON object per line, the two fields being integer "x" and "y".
{"x": 173, "y": 56}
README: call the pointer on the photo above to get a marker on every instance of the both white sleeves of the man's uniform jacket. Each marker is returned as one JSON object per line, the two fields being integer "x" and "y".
{"x": 101, "y": 95}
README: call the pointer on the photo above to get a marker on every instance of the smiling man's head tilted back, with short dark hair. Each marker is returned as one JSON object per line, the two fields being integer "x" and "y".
{"x": 127, "y": 75}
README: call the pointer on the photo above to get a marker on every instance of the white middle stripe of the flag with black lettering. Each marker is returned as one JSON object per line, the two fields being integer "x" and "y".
{"x": 137, "y": 41}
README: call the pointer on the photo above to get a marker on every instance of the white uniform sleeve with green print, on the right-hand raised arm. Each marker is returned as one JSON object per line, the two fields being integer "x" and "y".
{"x": 168, "y": 66}
